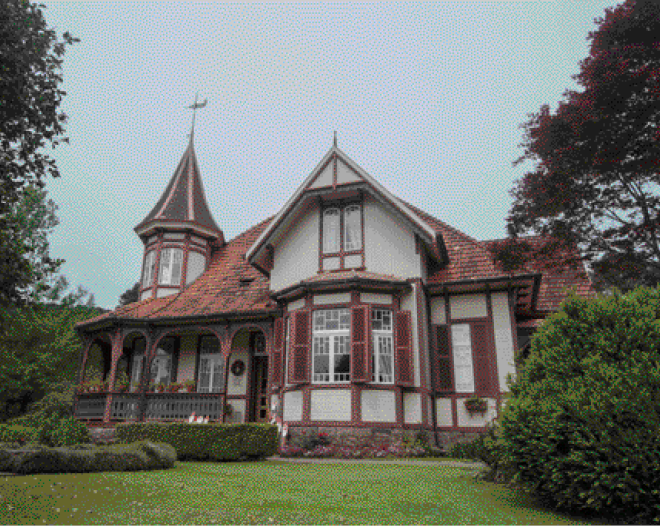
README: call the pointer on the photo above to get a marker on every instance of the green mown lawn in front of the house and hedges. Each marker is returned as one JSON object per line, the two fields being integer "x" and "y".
{"x": 269, "y": 493}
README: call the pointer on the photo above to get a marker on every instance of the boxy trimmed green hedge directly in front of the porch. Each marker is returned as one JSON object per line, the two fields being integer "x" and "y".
{"x": 206, "y": 441}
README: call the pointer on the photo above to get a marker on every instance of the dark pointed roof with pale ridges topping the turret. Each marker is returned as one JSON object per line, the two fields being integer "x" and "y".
{"x": 183, "y": 202}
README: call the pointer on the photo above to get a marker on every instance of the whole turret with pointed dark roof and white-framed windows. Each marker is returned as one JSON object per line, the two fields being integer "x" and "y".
{"x": 179, "y": 234}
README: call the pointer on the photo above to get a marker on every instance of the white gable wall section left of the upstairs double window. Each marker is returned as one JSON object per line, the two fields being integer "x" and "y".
{"x": 296, "y": 250}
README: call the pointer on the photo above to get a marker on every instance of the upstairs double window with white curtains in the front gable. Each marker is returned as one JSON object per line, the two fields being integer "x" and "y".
{"x": 341, "y": 237}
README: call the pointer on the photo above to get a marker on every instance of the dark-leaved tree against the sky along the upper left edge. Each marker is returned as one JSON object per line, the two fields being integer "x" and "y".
{"x": 30, "y": 95}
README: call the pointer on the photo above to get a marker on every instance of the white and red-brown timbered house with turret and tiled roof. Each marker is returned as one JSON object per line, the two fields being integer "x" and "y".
{"x": 350, "y": 312}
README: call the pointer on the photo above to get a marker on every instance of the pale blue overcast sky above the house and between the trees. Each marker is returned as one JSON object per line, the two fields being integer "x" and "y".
{"x": 427, "y": 97}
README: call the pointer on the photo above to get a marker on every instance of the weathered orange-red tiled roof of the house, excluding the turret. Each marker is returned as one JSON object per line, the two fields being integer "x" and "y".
{"x": 232, "y": 286}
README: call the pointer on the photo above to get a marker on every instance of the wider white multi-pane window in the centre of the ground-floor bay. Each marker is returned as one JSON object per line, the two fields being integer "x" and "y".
{"x": 331, "y": 349}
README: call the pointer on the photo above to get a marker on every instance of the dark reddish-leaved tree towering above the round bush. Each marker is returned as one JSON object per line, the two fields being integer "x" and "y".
{"x": 596, "y": 177}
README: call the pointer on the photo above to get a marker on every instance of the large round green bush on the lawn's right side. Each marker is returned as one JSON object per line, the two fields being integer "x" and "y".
{"x": 582, "y": 428}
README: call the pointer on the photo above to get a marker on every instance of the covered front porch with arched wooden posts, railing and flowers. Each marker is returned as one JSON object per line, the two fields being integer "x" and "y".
{"x": 137, "y": 375}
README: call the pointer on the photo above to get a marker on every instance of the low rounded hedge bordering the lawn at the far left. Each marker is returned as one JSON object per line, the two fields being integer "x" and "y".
{"x": 138, "y": 456}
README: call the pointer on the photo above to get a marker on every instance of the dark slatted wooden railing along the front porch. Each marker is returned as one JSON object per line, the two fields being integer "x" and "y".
{"x": 159, "y": 406}
